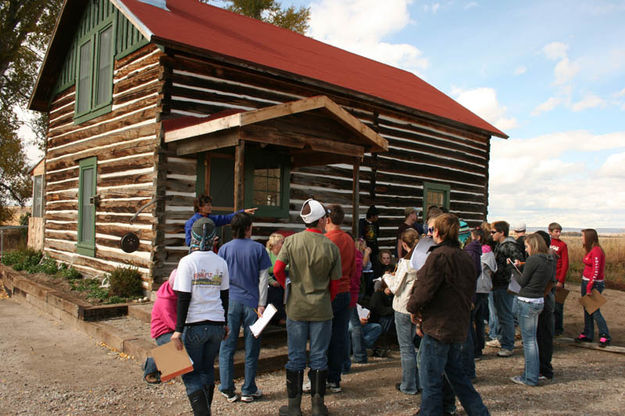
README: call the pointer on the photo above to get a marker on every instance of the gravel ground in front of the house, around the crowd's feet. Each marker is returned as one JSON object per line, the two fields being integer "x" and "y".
{"x": 49, "y": 368}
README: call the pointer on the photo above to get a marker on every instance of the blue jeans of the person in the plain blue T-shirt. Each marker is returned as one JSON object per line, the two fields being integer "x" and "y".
{"x": 239, "y": 315}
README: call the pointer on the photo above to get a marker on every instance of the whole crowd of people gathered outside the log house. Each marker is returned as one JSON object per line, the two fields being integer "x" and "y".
{"x": 450, "y": 292}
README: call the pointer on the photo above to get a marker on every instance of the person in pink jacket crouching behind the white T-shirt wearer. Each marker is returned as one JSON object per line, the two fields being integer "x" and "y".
{"x": 163, "y": 324}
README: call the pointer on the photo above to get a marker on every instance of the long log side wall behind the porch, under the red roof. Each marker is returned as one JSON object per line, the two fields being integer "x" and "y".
{"x": 420, "y": 150}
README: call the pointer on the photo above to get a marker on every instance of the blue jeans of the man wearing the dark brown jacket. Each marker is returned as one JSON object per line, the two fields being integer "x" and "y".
{"x": 438, "y": 359}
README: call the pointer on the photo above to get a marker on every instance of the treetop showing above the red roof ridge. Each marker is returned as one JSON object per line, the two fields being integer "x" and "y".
{"x": 271, "y": 11}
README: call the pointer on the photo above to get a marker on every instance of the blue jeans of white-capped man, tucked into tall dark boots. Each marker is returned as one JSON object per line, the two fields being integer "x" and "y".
{"x": 298, "y": 334}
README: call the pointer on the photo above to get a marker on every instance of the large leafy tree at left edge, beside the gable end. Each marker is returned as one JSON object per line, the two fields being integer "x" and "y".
{"x": 25, "y": 28}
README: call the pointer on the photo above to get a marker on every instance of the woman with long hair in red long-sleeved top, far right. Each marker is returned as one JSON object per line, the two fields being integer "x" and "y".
{"x": 593, "y": 278}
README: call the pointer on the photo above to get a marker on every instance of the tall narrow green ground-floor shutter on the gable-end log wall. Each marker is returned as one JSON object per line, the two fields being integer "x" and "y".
{"x": 86, "y": 207}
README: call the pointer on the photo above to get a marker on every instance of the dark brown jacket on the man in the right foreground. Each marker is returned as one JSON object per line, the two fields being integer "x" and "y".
{"x": 442, "y": 293}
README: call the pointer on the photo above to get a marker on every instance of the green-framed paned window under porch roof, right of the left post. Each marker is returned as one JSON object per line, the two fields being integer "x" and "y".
{"x": 267, "y": 177}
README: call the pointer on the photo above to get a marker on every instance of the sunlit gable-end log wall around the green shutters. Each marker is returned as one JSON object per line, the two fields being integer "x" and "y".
{"x": 126, "y": 144}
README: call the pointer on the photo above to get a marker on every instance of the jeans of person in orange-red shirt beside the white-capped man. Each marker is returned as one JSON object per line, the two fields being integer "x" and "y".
{"x": 338, "y": 349}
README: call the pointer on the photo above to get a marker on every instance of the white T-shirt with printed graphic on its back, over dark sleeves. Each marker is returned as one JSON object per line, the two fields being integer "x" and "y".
{"x": 204, "y": 274}
